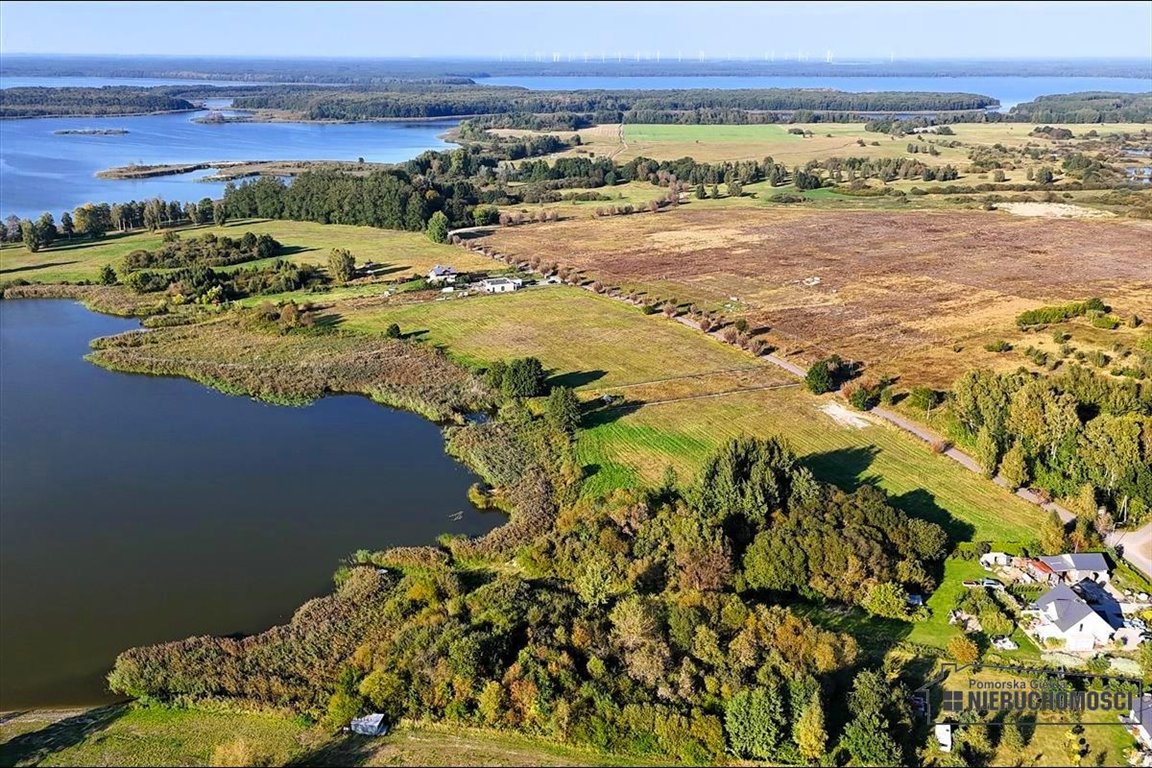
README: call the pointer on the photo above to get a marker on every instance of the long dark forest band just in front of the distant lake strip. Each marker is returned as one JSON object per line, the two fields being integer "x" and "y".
{"x": 518, "y": 108}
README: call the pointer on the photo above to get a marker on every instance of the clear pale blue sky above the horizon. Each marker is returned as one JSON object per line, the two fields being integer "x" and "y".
{"x": 907, "y": 31}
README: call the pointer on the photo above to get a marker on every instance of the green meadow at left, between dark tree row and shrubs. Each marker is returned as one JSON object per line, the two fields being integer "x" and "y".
{"x": 407, "y": 254}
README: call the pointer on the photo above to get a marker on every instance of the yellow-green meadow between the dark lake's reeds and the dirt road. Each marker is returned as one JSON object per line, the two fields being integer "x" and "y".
{"x": 603, "y": 346}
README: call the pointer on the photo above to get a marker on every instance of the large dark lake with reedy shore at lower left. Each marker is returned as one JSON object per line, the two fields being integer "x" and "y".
{"x": 142, "y": 510}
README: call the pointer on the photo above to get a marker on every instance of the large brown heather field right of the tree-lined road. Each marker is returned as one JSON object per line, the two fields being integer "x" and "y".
{"x": 914, "y": 293}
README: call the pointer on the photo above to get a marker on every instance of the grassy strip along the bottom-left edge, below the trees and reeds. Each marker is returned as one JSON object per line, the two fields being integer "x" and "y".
{"x": 128, "y": 736}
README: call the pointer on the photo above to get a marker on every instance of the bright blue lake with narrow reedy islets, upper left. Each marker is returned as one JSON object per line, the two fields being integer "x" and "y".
{"x": 42, "y": 171}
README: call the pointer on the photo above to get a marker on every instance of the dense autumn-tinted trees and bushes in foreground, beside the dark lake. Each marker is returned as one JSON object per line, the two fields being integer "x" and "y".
{"x": 650, "y": 622}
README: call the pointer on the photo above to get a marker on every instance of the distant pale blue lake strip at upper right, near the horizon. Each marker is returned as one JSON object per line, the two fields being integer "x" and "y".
{"x": 1009, "y": 90}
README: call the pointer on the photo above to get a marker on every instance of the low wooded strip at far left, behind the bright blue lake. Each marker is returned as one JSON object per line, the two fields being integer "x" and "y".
{"x": 112, "y": 101}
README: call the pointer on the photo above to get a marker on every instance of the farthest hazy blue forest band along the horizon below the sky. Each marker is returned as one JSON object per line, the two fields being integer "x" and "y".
{"x": 373, "y": 71}
